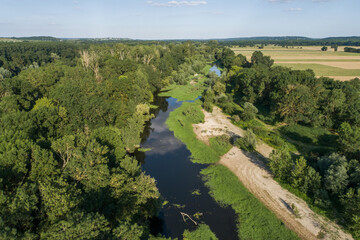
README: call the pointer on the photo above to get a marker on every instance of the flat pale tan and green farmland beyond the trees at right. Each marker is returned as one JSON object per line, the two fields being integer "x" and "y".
{"x": 338, "y": 65}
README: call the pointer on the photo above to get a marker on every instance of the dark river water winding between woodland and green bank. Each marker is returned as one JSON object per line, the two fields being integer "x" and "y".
{"x": 178, "y": 178}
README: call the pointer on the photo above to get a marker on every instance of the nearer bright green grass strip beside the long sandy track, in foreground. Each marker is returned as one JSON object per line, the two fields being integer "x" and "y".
{"x": 255, "y": 220}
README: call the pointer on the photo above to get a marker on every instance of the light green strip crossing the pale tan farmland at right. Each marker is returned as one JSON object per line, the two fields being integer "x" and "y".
{"x": 322, "y": 70}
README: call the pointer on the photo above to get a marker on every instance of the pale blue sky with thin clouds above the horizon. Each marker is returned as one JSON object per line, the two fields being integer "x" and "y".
{"x": 168, "y": 19}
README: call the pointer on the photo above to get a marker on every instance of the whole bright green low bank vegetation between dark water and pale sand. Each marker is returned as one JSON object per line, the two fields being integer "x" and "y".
{"x": 255, "y": 221}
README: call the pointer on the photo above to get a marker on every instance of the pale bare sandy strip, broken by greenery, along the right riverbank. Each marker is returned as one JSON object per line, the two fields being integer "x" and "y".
{"x": 253, "y": 173}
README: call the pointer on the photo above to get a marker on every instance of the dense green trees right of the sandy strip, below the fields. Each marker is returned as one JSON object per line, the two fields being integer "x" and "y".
{"x": 278, "y": 95}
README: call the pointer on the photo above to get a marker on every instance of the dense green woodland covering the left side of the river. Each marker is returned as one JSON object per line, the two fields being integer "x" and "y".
{"x": 71, "y": 117}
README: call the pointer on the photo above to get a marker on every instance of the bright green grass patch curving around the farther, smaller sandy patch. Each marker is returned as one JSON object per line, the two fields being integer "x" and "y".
{"x": 180, "y": 122}
